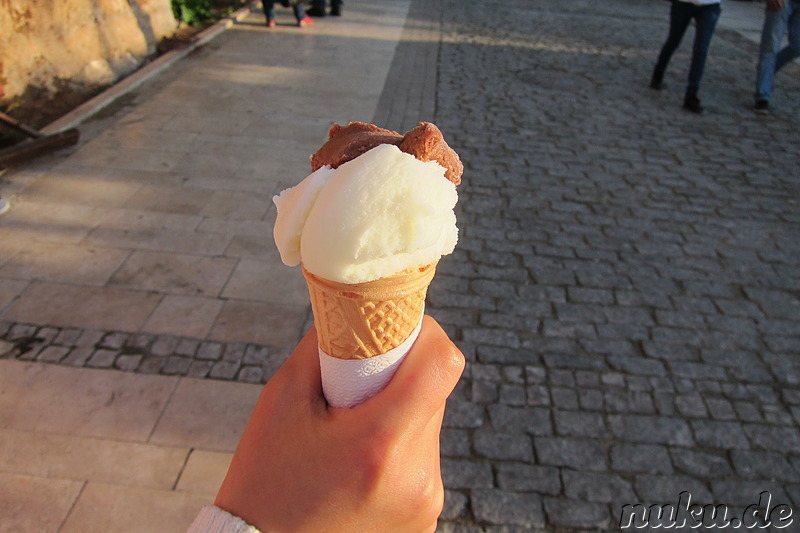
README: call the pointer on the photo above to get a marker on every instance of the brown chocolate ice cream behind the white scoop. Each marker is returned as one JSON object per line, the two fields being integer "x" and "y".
{"x": 425, "y": 142}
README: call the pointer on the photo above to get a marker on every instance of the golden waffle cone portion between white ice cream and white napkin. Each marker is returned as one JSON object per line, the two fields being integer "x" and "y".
{"x": 361, "y": 320}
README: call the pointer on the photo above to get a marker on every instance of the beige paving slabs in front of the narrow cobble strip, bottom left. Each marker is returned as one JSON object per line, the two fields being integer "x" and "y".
{"x": 81, "y": 448}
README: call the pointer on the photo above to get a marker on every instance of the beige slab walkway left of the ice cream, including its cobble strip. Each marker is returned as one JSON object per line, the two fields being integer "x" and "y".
{"x": 152, "y": 241}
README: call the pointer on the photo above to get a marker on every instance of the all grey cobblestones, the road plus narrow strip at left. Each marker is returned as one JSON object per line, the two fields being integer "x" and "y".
{"x": 627, "y": 283}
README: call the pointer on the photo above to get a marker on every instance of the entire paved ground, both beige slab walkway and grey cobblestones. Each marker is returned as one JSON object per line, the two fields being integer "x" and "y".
{"x": 625, "y": 286}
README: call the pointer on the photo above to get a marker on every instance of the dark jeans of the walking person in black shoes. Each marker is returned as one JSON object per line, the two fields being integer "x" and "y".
{"x": 705, "y": 20}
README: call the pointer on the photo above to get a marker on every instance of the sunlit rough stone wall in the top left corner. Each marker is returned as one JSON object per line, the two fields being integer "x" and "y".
{"x": 85, "y": 43}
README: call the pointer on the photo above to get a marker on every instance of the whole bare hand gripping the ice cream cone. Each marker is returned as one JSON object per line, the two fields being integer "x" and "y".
{"x": 303, "y": 466}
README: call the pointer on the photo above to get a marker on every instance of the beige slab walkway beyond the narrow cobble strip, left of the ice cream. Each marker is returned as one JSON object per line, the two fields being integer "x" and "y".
{"x": 169, "y": 191}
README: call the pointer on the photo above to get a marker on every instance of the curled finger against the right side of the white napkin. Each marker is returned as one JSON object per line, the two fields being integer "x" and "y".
{"x": 423, "y": 381}
